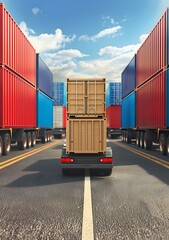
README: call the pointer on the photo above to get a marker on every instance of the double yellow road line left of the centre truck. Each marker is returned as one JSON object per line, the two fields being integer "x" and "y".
{"x": 25, "y": 155}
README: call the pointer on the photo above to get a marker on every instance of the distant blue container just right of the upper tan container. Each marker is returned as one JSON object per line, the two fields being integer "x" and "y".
{"x": 113, "y": 93}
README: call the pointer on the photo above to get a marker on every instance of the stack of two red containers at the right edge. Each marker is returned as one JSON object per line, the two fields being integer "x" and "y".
{"x": 152, "y": 77}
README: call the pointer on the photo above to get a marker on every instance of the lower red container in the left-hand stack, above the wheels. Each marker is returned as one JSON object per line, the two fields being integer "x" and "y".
{"x": 17, "y": 101}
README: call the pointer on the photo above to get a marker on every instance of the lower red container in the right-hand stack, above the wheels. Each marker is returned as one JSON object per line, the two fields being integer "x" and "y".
{"x": 150, "y": 103}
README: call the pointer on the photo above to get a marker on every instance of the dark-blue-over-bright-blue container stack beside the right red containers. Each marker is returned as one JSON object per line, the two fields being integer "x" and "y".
{"x": 129, "y": 95}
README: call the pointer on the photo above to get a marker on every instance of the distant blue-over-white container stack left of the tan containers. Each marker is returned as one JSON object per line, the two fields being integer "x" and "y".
{"x": 59, "y": 108}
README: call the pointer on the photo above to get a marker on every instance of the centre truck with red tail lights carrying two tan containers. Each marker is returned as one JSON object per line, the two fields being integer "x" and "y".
{"x": 86, "y": 127}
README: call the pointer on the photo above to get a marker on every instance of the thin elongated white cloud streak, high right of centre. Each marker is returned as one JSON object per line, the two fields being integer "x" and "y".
{"x": 106, "y": 32}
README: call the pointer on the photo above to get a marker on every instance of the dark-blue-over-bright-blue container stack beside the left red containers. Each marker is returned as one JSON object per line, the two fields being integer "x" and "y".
{"x": 44, "y": 78}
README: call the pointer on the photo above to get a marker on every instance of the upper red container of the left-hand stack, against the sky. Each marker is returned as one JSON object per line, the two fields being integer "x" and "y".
{"x": 16, "y": 52}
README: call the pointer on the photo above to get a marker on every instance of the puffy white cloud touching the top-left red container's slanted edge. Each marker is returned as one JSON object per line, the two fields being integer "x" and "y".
{"x": 46, "y": 42}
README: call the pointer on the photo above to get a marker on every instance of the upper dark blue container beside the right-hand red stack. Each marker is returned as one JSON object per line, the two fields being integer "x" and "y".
{"x": 129, "y": 78}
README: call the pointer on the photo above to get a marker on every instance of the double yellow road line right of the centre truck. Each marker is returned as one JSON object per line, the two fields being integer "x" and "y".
{"x": 145, "y": 155}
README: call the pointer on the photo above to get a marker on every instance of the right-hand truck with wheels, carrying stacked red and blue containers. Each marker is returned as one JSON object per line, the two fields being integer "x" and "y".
{"x": 145, "y": 91}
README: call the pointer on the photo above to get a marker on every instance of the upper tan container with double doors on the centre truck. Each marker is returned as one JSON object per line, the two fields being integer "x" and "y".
{"x": 86, "y": 97}
